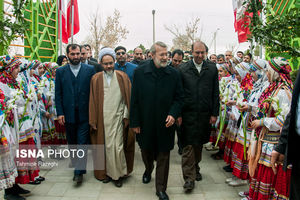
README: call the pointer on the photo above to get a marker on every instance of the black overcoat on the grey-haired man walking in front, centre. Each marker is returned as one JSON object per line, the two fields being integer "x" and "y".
{"x": 153, "y": 98}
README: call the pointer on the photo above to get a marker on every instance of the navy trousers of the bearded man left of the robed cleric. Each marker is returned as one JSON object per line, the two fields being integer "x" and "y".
{"x": 78, "y": 138}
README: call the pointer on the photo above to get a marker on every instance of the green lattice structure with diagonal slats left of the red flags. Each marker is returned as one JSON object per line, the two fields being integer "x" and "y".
{"x": 41, "y": 37}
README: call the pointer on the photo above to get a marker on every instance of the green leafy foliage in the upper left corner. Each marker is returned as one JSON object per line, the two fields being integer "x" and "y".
{"x": 11, "y": 27}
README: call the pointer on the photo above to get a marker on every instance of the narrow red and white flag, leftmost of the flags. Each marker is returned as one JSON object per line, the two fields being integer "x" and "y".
{"x": 61, "y": 11}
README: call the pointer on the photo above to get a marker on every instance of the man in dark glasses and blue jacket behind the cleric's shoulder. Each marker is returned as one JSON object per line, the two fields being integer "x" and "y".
{"x": 121, "y": 63}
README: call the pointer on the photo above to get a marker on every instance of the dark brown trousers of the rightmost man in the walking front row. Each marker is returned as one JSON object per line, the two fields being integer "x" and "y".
{"x": 191, "y": 157}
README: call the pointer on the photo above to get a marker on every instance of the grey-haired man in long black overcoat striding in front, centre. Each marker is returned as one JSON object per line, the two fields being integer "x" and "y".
{"x": 156, "y": 99}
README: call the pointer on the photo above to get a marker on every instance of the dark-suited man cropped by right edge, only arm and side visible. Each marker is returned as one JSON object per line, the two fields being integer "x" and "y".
{"x": 288, "y": 145}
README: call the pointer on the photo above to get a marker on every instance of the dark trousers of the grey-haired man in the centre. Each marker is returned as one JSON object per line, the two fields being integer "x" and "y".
{"x": 162, "y": 168}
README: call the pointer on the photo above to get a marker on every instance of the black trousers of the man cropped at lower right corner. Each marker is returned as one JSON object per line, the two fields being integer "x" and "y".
{"x": 295, "y": 182}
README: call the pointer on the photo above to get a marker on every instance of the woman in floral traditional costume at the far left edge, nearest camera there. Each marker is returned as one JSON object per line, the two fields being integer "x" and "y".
{"x": 20, "y": 123}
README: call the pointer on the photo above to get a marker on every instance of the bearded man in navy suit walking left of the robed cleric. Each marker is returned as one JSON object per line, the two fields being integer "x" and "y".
{"x": 72, "y": 88}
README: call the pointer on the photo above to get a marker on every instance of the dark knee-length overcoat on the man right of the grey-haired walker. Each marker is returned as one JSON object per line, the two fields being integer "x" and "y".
{"x": 201, "y": 101}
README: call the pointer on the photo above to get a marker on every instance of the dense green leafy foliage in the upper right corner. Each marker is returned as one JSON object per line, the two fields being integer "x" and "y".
{"x": 278, "y": 30}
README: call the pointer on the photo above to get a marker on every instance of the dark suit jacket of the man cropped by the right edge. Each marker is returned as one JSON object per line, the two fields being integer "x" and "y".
{"x": 290, "y": 140}
